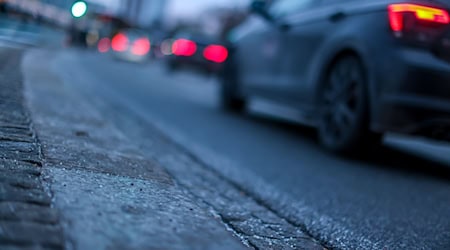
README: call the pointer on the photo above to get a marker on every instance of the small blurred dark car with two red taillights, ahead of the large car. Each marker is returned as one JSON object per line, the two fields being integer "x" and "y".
{"x": 196, "y": 51}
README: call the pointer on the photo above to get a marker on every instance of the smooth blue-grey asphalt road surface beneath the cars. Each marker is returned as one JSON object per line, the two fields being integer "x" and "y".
{"x": 397, "y": 198}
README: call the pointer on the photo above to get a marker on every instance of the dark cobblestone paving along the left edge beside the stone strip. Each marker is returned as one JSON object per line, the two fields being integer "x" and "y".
{"x": 27, "y": 220}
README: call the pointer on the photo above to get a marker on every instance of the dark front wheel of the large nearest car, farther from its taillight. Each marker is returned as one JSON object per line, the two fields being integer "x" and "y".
{"x": 229, "y": 90}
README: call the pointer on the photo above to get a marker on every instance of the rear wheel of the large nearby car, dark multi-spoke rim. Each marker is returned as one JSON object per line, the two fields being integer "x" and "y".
{"x": 344, "y": 108}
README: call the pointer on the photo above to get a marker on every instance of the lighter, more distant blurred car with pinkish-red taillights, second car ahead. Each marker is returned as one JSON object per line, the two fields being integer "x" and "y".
{"x": 131, "y": 45}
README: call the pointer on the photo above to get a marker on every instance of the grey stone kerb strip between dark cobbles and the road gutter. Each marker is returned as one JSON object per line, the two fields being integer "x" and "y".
{"x": 110, "y": 195}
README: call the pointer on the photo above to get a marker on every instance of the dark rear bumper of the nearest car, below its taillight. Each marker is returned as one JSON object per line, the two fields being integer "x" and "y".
{"x": 415, "y": 96}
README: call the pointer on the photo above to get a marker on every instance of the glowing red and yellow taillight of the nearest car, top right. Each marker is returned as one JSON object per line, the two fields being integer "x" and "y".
{"x": 424, "y": 13}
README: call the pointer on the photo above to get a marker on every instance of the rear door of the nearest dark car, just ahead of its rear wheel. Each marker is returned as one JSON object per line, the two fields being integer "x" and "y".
{"x": 310, "y": 31}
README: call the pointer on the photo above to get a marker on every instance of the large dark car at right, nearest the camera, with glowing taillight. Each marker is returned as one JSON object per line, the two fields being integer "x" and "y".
{"x": 355, "y": 69}
